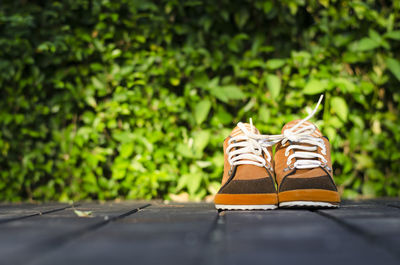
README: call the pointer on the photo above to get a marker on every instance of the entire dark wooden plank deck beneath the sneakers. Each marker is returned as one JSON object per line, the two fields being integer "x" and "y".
{"x": 134, "y": 232}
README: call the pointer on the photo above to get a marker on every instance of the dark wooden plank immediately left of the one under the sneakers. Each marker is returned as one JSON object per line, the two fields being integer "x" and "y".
{"x": 160, "y": 234}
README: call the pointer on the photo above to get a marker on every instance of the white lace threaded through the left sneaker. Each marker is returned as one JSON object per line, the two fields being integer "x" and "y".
{"x": 247, "y": 148}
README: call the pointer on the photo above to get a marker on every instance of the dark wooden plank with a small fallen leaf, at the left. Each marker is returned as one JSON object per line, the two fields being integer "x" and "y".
{"x": 23, "y": 241}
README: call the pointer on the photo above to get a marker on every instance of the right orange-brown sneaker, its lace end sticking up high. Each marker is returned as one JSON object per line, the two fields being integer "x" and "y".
{"x": 303, "y": 167}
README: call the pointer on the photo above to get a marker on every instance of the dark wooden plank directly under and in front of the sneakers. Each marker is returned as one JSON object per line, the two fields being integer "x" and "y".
{"x": 296, "y": 236}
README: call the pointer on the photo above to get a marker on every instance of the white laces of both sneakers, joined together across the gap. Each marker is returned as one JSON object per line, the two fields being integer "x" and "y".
{"x": 248, "y": 148}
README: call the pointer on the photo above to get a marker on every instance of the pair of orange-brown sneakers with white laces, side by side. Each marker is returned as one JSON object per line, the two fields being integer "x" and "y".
{"x": 298, "y": 175}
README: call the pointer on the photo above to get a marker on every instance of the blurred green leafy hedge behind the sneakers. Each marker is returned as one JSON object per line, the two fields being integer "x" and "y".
{"x": 132, "y": 99}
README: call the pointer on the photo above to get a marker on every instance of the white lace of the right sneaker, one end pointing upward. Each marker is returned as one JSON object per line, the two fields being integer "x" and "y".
{"x": 307, "y": 154}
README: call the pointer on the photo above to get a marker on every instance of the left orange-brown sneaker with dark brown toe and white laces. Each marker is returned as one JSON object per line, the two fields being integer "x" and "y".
{"x": 247, "y": 183}
